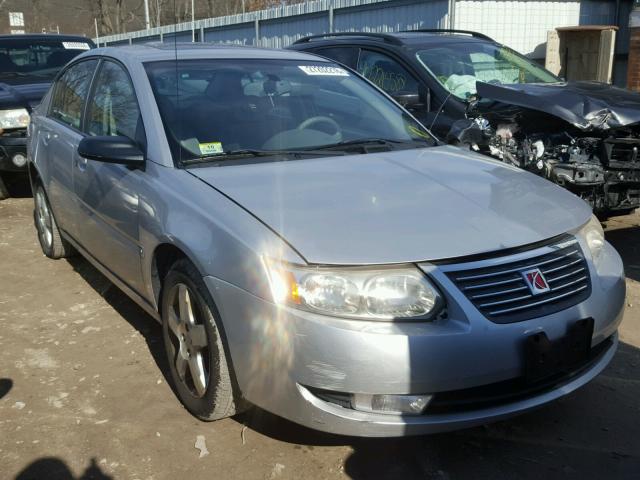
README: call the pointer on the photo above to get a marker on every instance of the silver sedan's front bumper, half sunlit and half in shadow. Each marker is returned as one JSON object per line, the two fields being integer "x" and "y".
{"x": 277, "y": 352}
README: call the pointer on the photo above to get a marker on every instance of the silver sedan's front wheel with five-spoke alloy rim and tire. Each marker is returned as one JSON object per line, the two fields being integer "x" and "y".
{"x": 194, "y": 345}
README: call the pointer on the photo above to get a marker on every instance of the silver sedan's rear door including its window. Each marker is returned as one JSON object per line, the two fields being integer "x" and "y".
{"x": 59, "y": 135}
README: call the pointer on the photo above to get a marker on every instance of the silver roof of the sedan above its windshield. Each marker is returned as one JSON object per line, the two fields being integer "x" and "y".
{"x": 157, "y": 51}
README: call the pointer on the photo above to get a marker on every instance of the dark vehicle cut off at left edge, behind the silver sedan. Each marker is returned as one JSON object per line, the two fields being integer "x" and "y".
{"x": 28, "y": 64}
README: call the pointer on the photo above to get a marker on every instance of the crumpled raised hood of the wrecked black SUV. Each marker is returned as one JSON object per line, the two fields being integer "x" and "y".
{"x": 586, "y": 105}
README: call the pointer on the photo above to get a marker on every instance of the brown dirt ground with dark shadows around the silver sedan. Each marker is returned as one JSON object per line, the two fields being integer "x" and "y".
{"x": 84, "y": 394}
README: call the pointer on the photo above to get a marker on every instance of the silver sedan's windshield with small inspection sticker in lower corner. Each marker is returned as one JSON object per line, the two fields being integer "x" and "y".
{"x": 215, "y": 107}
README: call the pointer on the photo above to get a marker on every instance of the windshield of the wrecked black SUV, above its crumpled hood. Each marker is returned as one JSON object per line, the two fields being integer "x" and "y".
{"x": 459, "y": 65}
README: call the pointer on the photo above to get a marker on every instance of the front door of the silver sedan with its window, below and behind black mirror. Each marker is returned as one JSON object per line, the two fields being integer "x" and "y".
{"x": 107, "y": 194}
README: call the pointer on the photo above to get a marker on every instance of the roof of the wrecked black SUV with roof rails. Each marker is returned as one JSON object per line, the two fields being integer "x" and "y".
{"x": 399, "y": 39}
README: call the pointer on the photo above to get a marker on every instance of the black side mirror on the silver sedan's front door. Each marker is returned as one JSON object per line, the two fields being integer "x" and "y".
{"x": 112, "y": 149}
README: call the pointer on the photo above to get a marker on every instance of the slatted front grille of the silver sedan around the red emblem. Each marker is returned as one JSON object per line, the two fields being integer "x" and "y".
{"x": 501, "y": 293}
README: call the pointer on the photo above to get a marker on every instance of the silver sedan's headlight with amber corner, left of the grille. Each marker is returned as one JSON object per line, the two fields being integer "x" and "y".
{"x": 370, "y": 294}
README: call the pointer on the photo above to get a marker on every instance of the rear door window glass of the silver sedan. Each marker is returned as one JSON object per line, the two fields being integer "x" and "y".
{"x": 70, "y": 93}
